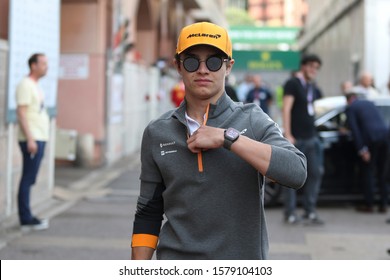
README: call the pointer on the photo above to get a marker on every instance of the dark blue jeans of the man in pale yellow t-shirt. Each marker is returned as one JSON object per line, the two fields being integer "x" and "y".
{"x": 30, "y": 170}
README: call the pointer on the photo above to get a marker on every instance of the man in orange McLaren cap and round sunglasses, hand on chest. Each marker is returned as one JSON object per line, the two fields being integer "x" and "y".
{"x": 204, "y": 163}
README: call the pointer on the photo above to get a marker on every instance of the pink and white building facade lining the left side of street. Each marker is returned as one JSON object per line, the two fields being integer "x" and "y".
{"x": 114, "y": 73}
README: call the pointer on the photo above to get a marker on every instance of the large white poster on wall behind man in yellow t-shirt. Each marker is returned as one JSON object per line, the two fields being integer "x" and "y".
{"x": 34, "y": 27}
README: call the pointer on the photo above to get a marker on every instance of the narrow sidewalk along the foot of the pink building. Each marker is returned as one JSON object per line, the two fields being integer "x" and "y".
{"x": 72, "y": 184}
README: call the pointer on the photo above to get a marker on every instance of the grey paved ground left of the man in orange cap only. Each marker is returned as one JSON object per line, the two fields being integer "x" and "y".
{"x": 90, "y": 219}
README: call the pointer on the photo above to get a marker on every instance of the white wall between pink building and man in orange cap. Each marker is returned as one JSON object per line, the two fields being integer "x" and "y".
{"x": 145, "y": 97}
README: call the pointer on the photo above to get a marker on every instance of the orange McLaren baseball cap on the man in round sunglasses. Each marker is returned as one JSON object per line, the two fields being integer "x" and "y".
{"x": 204, "y": 33}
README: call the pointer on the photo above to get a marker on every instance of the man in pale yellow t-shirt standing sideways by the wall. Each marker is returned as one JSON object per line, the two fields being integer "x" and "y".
{"x": 32, "y": 135}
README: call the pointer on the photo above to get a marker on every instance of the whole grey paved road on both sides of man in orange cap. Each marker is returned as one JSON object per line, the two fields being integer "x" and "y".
{"x": 95, "y": 222}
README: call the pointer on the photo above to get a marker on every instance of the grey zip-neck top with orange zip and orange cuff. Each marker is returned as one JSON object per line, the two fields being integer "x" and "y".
{"x": 217, "y": 211}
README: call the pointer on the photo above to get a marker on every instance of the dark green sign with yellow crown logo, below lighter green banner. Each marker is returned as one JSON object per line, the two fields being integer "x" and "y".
{"x": 266, "y": 60}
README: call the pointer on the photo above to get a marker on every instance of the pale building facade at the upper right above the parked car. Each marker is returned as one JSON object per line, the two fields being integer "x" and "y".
{"x": 351, "y": 36}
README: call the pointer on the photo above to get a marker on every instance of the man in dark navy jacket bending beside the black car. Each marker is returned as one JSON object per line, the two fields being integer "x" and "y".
{"x": 370, "y": 136}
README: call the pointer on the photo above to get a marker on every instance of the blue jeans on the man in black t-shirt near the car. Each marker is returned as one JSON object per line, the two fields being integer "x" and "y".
{"x": 313, "y": 150}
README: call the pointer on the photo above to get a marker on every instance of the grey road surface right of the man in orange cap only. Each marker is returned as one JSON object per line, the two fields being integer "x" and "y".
{"x": 346, "y": 235}
